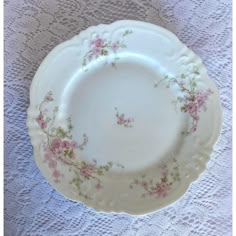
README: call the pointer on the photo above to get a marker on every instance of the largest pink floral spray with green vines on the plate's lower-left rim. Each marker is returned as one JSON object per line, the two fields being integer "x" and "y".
{"x": 59, "y": 147}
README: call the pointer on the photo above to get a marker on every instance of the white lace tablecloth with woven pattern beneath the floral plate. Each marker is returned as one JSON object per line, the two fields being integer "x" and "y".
{"x": 32, "y": 29}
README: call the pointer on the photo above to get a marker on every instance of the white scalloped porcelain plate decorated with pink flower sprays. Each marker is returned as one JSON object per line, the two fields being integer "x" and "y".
{"x": 123, "y": 117}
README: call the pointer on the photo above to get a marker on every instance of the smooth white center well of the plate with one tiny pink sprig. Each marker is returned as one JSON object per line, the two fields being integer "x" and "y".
{"x": 127, "y": 120}
